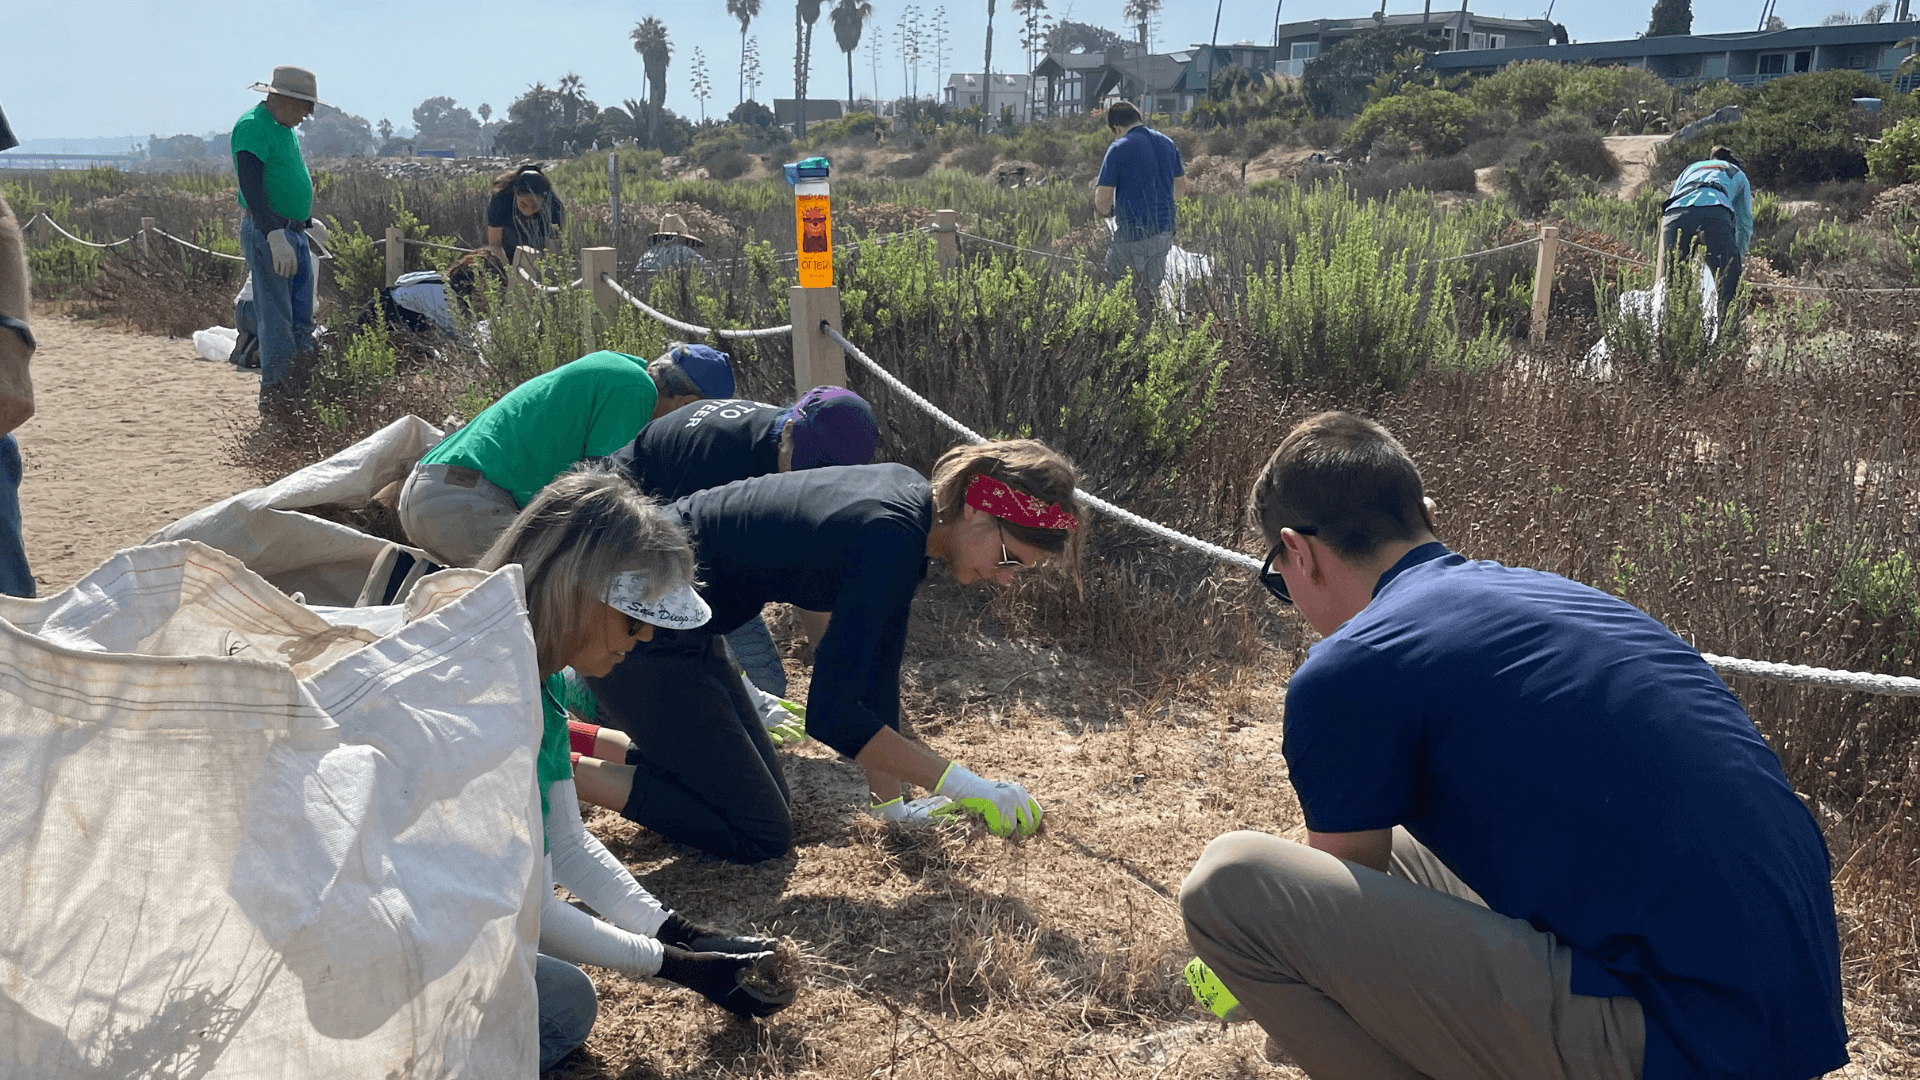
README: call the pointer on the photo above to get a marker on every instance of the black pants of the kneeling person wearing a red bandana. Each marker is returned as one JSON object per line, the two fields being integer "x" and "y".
{"x": 704, "y": 766}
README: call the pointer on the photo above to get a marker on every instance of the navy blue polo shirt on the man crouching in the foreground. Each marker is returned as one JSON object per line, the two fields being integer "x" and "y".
{"x": 1583, "y": 770}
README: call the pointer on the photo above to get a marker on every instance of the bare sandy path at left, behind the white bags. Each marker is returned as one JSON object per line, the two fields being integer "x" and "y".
{"x": 132, "y": 431}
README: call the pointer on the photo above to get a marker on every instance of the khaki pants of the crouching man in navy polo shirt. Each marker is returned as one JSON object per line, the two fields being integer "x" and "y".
{"x": 1404, "y": 975}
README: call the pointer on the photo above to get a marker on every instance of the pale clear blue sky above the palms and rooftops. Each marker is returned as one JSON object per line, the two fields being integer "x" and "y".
{"x": 110, "y": 68}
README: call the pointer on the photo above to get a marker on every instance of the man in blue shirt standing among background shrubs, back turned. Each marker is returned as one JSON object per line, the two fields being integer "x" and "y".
{"x": 1140, "y": 180}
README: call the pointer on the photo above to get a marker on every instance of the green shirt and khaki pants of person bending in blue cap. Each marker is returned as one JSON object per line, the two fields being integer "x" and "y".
{"x": 469, "y": 487}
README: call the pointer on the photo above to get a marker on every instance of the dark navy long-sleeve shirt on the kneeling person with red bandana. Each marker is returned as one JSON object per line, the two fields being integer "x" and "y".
{"x": 848, "y": 539}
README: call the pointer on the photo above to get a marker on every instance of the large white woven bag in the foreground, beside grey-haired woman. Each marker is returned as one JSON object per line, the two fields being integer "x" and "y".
{"x": 239, "y": 841}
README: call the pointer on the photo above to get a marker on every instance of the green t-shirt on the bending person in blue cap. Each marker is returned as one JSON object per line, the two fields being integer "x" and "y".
{"x": 546, "y": 426}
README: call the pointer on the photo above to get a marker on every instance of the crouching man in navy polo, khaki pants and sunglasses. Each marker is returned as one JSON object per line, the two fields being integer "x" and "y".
{"x": 1545, "y": 841}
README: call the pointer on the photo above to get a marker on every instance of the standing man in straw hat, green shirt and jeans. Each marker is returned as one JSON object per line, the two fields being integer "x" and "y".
{"x": 276, "y": 222}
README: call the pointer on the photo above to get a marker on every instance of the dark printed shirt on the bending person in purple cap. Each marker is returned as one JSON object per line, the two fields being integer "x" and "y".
{"x": 706, "y": 445}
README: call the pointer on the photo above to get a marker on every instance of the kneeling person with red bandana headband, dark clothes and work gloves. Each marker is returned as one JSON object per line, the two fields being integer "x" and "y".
{"x": 853, "y": 541}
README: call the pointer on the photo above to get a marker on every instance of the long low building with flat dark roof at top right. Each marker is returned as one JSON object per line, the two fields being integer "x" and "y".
{"x": 1744, "y": 59}
